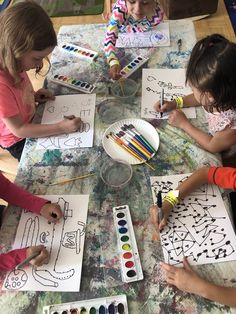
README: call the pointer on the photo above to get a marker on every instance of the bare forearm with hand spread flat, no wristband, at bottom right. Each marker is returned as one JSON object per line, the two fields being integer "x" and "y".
{"x": 187, "y": 280}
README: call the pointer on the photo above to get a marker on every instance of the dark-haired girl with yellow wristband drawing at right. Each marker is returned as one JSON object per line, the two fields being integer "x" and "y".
{"x": 211, "y": 75}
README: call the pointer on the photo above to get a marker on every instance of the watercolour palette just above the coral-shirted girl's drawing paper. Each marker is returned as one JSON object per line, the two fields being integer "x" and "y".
{"x": 73, "y": 83}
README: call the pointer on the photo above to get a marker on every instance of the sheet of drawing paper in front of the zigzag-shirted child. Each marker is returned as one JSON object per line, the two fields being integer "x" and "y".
{"x": 157, "y": 37}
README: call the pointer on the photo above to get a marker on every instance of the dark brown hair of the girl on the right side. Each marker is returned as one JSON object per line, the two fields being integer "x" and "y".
{"x": 212, "y": 68}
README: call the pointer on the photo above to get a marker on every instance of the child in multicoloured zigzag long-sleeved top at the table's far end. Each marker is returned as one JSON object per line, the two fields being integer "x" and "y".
{"x": 129, "y": 16}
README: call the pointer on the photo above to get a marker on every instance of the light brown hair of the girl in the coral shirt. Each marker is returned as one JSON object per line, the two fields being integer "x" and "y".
{"x": 24, "y": 26}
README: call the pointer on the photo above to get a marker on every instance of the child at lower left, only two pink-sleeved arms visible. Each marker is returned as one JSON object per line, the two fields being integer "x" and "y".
{"x": 19, "y": 197}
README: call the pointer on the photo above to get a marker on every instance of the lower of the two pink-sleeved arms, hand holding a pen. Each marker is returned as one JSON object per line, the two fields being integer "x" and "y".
{"x": 10, "y": 260}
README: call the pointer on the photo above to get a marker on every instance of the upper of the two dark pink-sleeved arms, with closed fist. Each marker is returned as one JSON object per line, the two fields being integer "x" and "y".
{"x": 17, "y": 196}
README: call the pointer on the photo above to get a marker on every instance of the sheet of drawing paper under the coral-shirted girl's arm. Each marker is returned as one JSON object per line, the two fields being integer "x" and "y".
{"x": 80, "y": 105}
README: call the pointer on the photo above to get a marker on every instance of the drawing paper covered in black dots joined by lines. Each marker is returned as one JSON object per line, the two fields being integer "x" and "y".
{"x": 198, "y": 227}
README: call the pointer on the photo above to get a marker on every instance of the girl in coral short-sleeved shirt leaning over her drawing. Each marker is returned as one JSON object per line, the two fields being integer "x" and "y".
{"x": 26, "y": 38}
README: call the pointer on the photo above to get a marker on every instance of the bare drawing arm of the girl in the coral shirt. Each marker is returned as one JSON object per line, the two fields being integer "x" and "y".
{"x": 24, "y": 130}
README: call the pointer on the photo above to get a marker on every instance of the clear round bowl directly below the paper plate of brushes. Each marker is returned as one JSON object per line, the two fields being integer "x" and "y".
{"x": 116, "y": 173}
